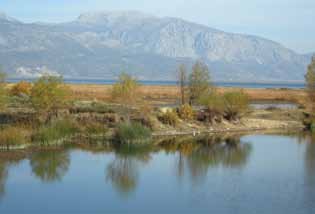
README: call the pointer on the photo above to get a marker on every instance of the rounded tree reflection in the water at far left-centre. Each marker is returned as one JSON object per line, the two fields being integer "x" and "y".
{"x": 50, "y": 166}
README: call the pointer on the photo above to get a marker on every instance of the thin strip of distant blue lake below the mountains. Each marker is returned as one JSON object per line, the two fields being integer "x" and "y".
{"x": 221, "y": 84}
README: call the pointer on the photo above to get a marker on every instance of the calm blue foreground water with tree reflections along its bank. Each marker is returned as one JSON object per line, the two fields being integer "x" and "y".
{"x": 251, "y": 174}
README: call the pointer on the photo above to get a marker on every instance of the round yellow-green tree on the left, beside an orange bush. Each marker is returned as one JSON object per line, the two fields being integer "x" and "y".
{"x": 49, "y": 94}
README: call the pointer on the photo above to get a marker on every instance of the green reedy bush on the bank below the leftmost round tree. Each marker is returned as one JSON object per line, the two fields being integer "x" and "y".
{"x": 56, "y": 130}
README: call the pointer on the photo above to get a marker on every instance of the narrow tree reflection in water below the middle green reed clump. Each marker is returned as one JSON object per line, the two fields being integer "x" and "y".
{"x": 122, "y": 172}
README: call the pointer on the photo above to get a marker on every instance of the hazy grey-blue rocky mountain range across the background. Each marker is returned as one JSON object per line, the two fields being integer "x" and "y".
{"x": 101, "y": 45}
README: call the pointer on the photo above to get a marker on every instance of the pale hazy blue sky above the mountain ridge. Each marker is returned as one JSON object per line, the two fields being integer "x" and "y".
{"x": 290, "y": 22}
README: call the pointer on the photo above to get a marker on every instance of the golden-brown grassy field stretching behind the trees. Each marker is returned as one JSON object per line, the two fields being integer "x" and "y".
{"x": 166, "y": 94}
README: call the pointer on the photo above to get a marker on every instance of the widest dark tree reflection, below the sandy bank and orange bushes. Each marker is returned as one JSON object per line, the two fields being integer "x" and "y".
{"x": 197, "y": 155}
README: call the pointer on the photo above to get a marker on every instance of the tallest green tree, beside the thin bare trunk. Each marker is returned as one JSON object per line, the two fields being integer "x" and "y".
{"x": 199, "y": 82}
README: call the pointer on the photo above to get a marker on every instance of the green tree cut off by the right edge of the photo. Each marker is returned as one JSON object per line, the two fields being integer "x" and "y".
{"x": 310, "y": 83}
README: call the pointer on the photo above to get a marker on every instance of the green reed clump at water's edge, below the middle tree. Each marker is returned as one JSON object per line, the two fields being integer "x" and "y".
{"x": 132, "y": 133}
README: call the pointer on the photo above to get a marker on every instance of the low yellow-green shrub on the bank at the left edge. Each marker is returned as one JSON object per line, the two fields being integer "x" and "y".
{"x": 13, "y": 136}
